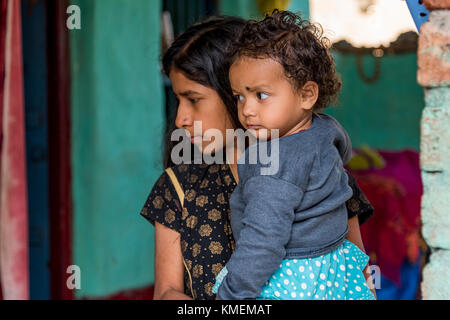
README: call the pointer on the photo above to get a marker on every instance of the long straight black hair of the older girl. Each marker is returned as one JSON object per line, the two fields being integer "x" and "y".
{"x": 202, "y": 53}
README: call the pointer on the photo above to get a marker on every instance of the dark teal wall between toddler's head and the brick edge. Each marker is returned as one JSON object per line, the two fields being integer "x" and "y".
{"x": 385, "y": 114}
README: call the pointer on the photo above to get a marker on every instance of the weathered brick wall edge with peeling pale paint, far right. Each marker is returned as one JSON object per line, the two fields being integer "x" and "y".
{"x": 434, "y": 76}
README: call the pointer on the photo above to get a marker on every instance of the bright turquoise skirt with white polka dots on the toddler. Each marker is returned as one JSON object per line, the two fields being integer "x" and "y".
{"x": 337, "y": 275}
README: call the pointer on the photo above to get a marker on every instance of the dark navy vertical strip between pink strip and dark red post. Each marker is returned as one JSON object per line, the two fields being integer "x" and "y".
{"x": 35, "y": 82}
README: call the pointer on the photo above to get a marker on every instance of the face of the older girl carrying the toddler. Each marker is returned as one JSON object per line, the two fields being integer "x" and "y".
{"x": 200, "y": 103}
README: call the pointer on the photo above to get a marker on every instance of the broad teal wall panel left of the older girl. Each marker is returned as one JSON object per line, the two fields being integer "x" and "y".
{"x": 117, "y": 126}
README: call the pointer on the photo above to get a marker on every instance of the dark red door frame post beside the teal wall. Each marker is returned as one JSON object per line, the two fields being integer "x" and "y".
{"x": 59, "y": 133}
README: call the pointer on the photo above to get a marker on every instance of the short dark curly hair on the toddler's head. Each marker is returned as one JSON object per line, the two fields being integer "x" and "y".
{"x": 298, "y": 45}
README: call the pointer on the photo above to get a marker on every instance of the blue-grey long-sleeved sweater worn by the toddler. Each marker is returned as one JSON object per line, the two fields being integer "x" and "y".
{"x": 297, "y": 212}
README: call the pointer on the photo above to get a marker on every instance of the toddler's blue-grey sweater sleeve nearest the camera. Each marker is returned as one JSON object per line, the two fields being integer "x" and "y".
{"x": 267, "y": 224}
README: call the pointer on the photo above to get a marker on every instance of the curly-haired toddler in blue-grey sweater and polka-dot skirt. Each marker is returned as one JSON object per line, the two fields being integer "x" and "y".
{"x": 290, "y": 227}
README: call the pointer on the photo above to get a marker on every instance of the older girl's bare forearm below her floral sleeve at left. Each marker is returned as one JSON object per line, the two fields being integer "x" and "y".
{"x": 169, "y": 267}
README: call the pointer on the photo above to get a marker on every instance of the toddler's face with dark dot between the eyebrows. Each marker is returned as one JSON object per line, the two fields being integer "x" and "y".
{"x": 265, "y": 97}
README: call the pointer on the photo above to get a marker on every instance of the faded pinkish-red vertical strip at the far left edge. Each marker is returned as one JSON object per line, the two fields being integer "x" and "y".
{"x": 13, "y": 187}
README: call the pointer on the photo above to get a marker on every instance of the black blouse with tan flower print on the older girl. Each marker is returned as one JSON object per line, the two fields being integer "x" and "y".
{"x": 204, "y": 222}
